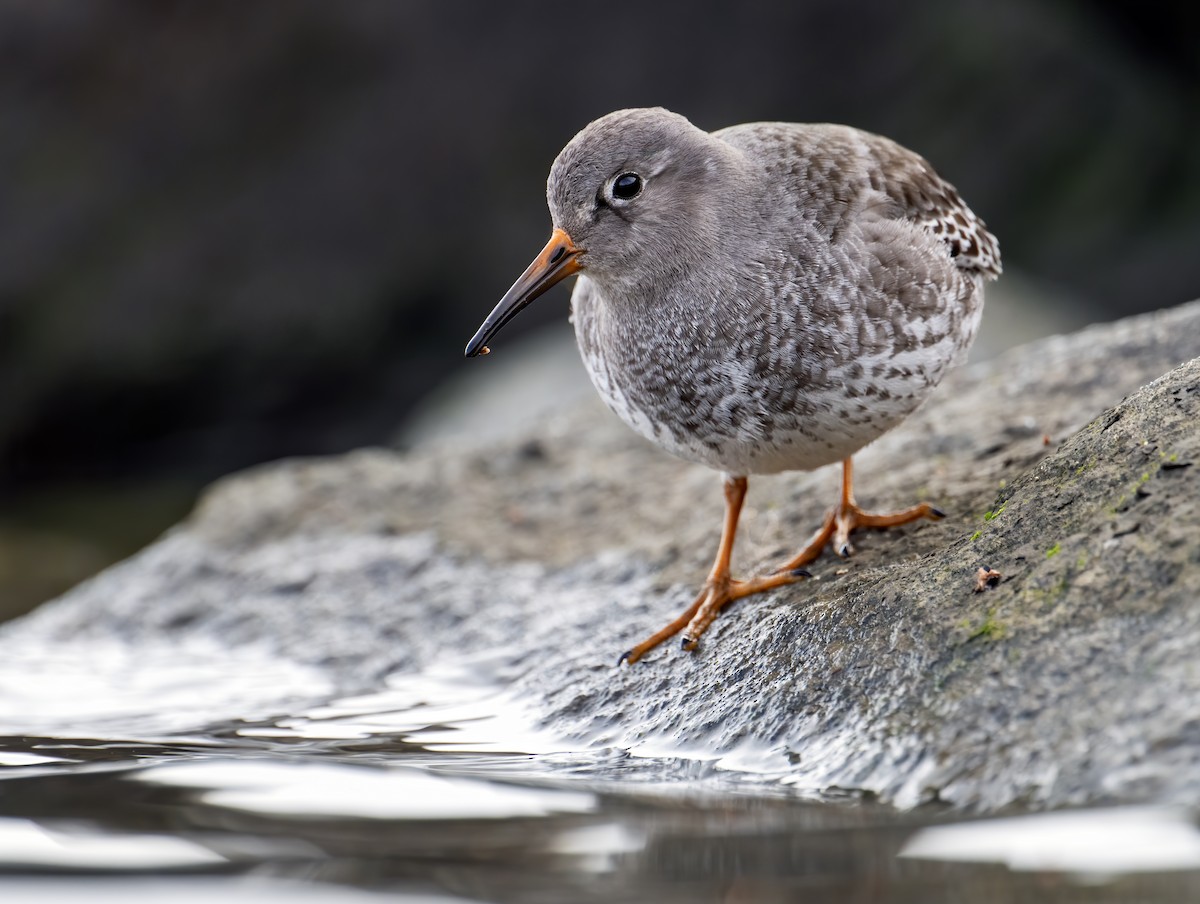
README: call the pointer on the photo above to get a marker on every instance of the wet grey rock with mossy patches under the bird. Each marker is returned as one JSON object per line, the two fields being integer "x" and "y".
{"x": 1070, "y": 681}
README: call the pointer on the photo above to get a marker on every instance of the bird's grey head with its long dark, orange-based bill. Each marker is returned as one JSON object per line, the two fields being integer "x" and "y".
{"x": 638, "y": 197}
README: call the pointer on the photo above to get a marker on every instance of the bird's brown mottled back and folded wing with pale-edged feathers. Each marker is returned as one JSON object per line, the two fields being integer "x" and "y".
{"x": 837, "y": 172}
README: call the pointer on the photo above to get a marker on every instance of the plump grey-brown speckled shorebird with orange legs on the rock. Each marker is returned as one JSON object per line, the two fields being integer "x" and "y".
{"x": 766, "y": 298}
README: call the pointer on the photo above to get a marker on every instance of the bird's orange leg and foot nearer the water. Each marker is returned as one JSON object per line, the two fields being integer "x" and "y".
{"x": 719, "y": 590}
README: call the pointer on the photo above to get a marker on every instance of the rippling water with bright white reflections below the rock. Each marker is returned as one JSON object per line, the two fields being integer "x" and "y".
{"x": 194, "y": 774}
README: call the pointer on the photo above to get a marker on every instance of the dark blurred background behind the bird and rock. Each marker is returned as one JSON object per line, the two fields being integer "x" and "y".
{"x": 232, "y": 232}
